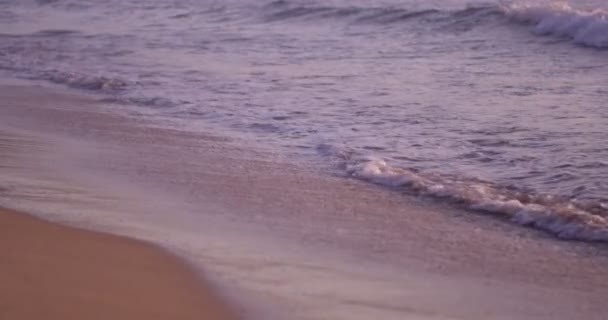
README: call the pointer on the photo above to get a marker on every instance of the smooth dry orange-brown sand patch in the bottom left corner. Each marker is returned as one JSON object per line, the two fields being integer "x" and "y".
{"x": 50, "y": 272}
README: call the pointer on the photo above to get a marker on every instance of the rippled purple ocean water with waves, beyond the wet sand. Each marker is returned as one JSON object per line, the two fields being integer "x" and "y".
{"x": 496, "y": 106}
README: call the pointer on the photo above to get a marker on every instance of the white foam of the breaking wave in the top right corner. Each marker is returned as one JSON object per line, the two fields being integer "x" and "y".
{"x": 588, "y": 28}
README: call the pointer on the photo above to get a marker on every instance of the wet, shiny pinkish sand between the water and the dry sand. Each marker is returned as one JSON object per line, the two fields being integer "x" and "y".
{"x": 278, "y": 240}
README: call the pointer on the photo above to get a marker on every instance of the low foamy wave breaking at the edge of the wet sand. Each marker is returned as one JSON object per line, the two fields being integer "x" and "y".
{"x": 565, "y": 218}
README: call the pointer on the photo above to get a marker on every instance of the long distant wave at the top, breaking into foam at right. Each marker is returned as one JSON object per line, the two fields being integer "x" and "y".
{"x": 589, "y": 28}
